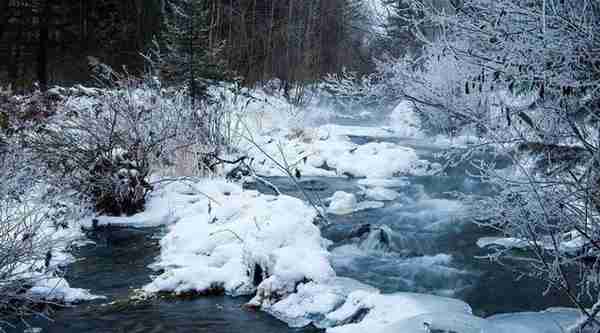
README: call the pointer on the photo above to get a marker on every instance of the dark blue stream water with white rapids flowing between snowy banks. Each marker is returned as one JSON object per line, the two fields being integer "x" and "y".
{"x": 420, "y": 242}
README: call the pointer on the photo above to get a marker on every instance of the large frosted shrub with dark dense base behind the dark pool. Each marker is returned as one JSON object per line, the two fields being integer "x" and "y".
{"x": 102, "y": 144}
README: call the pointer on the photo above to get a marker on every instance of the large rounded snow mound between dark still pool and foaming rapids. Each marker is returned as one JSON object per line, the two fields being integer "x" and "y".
{"x": 240, "y": 241}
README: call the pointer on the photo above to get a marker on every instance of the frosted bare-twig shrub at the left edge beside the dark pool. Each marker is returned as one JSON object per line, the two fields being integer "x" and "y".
{"x": 35, "y": 231}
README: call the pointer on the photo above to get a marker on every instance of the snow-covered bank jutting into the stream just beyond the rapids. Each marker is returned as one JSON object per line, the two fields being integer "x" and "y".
{"x": 317, "y": 149}
